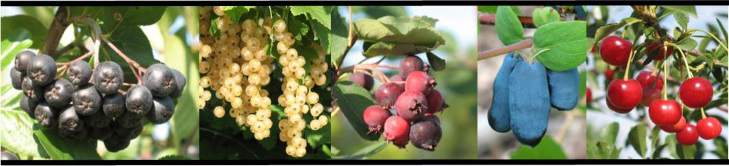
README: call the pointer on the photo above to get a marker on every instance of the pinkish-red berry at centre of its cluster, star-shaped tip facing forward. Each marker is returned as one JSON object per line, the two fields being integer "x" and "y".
{"x": 411, "y": 105}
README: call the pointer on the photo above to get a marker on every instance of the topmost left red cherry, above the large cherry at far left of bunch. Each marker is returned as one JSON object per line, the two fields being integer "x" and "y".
{"x": 615, "y": 50}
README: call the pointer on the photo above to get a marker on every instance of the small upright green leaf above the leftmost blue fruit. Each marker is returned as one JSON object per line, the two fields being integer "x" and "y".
{"x": 508, "y": 27}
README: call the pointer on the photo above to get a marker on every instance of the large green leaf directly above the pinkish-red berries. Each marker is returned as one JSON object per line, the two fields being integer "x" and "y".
{"x": 416, "y": 34}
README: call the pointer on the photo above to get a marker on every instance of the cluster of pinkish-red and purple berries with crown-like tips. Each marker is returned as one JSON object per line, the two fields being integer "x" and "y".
{"x": 414, "y": 99}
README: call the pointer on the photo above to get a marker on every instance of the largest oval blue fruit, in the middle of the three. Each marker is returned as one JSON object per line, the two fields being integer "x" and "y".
{"x": 528, "y": 102}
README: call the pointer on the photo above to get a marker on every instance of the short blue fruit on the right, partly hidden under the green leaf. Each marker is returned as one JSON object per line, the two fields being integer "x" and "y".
{"x": 564, "y": 89}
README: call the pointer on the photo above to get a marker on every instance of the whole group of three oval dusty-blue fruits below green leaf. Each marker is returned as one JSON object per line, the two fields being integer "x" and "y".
{"x": 518, "y": 81}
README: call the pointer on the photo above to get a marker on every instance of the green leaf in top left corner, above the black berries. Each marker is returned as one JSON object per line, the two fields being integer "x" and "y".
{"x": 21, "y": 27}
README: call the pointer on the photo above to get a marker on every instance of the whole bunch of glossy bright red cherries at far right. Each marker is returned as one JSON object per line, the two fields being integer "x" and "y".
{"x": 625, "y": 94}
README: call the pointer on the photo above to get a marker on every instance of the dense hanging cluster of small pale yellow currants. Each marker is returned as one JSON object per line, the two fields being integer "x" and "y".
{"x": 241, "y": 58}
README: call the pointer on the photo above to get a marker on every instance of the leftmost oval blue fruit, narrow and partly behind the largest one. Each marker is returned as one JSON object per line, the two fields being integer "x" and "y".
{"x": 498, "y": 115}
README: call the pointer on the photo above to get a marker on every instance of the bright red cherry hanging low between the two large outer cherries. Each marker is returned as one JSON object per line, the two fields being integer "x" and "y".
{"x": 665, "y": 112}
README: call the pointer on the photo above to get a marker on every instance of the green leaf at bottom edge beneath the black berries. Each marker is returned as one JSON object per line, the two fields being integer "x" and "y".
{"x": 58, "y": 148}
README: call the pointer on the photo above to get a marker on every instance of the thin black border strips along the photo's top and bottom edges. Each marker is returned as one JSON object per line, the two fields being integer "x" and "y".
{"x": 361, "y": 3}
